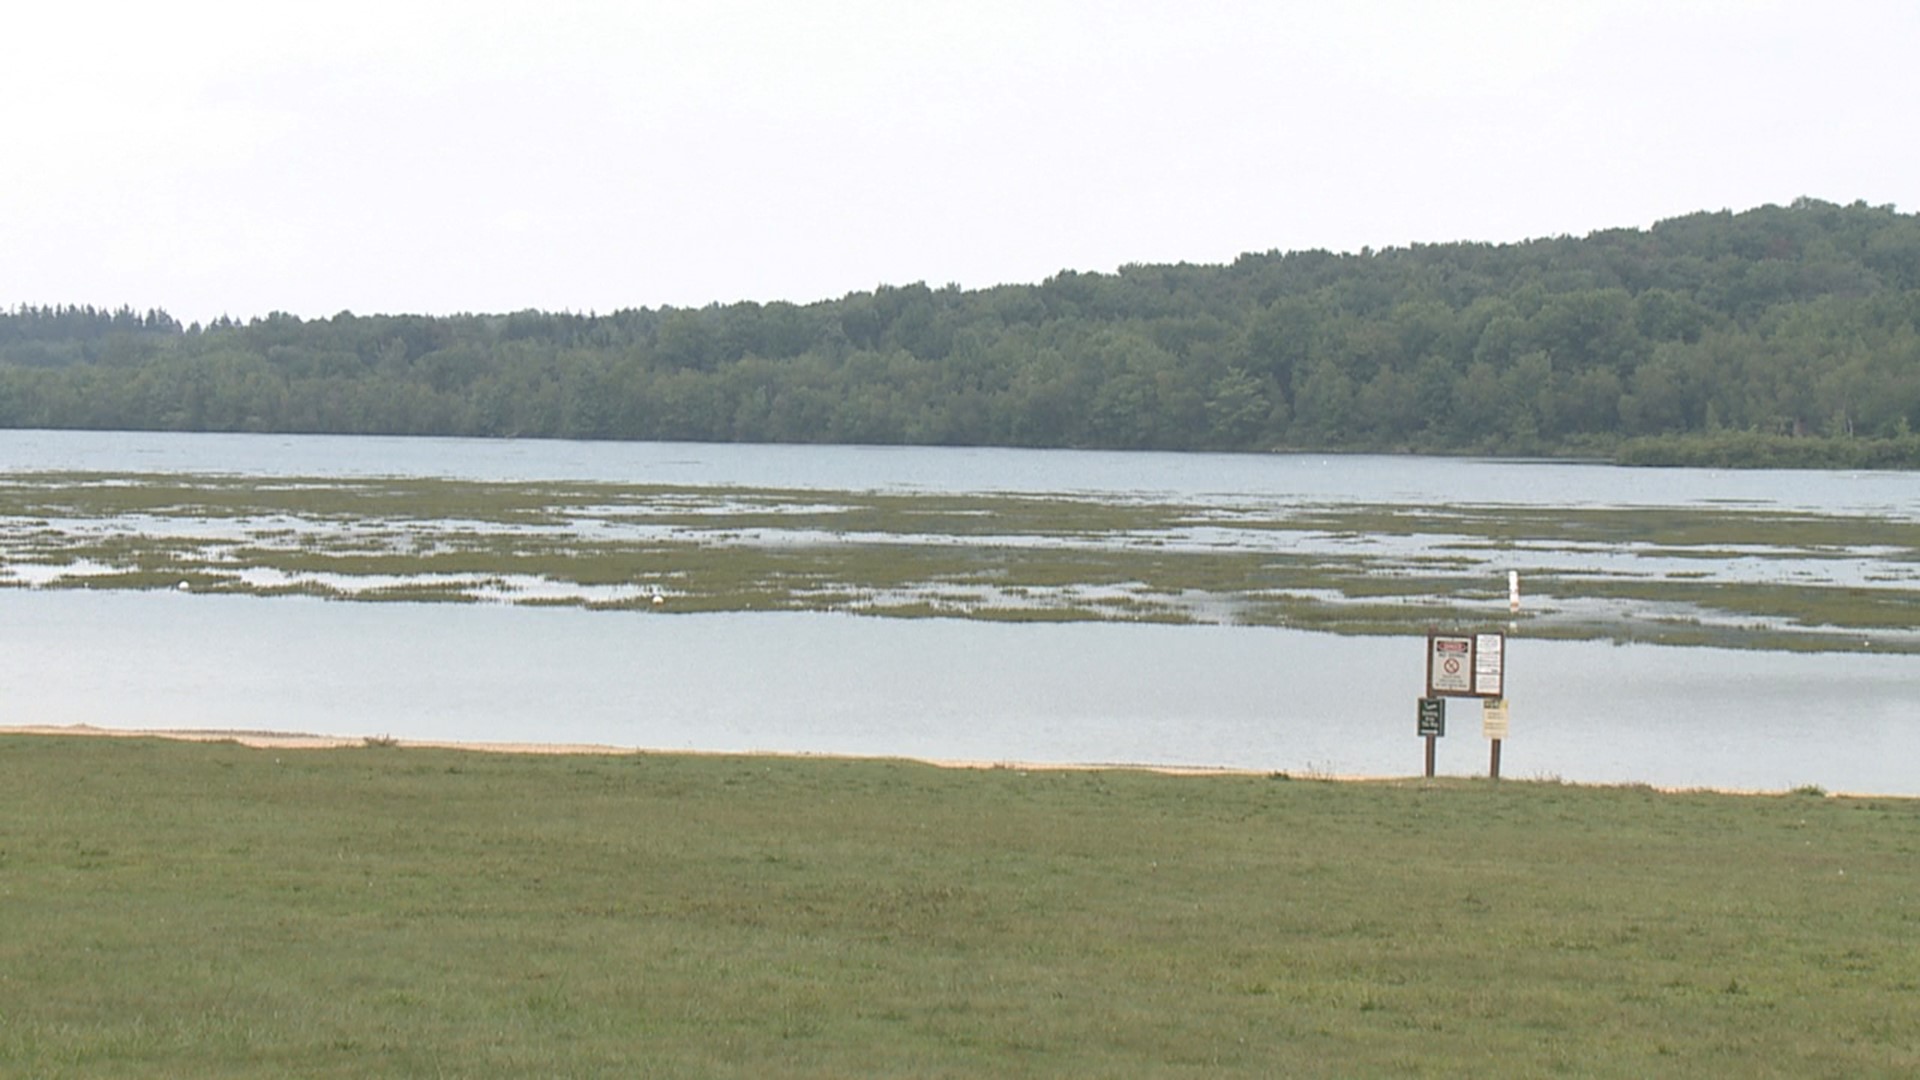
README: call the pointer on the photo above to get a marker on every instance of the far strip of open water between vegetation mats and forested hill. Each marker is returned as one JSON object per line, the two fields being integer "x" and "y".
{"x": 1230, "y": 478}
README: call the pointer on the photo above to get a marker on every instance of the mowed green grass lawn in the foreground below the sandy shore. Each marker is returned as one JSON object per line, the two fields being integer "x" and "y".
{"x": 208, "y": 910}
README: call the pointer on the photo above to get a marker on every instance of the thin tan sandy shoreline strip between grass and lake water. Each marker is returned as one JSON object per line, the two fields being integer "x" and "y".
{"x": 302, "y": 741}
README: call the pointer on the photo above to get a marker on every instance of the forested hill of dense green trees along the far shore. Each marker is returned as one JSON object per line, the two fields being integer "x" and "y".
{"x": 1779, "y": 335}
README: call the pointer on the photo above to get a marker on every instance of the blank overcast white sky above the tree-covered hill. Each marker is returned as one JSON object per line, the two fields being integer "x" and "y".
{"x": 435, "y": 157}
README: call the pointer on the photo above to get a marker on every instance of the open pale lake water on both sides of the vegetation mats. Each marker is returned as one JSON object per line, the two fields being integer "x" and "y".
{"x": 1082, "y": 693}
